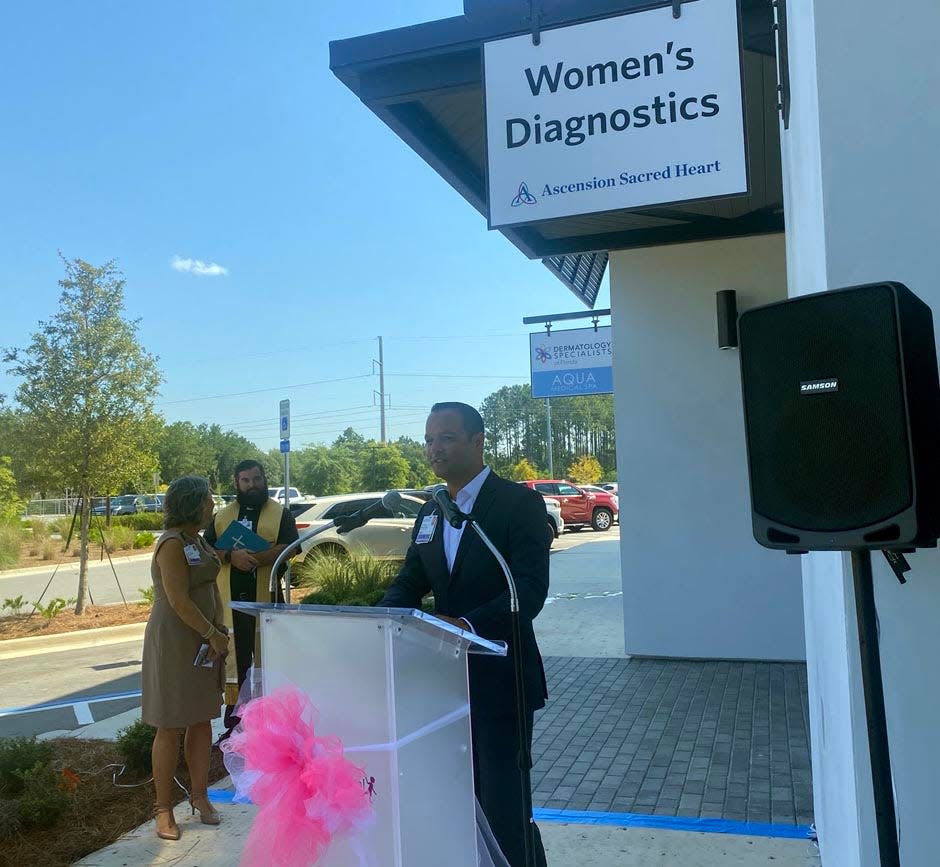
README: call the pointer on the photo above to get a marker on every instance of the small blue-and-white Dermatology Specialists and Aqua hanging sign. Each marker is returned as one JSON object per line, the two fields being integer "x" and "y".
{"x": 578, "y": 361}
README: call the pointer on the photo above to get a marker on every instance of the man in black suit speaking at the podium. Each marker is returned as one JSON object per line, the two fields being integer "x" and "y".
{"x": 470, "y": 591}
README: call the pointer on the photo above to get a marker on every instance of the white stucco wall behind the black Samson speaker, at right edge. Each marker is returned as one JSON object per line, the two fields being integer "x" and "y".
{"x": 861, "y": 177}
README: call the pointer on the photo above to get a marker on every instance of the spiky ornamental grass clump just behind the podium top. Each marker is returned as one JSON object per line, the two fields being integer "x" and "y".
{"x": 353, "y": 579}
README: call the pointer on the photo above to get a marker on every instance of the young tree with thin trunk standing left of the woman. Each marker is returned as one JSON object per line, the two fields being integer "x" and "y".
{"x": 87, "y": 391}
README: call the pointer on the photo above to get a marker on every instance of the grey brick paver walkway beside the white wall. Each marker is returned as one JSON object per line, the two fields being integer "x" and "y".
{"x": 690, "y": 738}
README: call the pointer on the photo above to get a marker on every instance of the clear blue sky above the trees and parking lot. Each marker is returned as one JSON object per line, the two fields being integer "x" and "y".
{"x": 214, "y": 132}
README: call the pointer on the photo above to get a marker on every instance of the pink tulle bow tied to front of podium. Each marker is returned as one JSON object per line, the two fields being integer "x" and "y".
{"x": 306, "y": 790}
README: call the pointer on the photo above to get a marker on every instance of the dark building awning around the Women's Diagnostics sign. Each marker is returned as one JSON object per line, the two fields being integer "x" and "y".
{"x": 426, "y": 83}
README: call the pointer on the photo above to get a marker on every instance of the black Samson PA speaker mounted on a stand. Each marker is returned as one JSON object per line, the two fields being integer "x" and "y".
{"x": 842, "y": 419}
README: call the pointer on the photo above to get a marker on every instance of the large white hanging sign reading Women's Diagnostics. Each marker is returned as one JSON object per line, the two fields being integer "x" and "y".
{"x": 620, "y": 113}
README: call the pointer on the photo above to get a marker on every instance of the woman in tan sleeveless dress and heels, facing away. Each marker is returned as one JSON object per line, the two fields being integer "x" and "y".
{"x": 187, "y": 613}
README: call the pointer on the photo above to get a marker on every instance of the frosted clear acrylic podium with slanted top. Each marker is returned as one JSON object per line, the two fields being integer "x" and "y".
{"x": 392, "y": 684}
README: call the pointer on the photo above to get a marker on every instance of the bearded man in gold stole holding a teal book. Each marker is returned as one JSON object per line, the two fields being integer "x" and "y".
{"x": 246, "y": 576}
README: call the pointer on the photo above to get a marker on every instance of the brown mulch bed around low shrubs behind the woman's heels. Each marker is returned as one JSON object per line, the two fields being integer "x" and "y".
{"x": 100, "y": 811}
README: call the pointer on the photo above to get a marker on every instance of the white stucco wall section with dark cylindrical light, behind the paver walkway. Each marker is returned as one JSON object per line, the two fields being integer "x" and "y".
{"x": 695, "y": 582}
